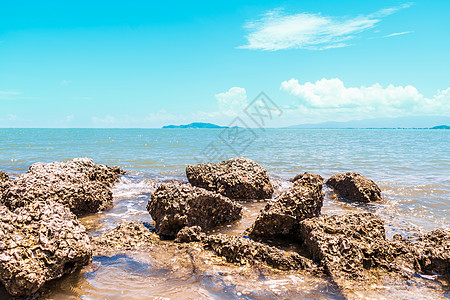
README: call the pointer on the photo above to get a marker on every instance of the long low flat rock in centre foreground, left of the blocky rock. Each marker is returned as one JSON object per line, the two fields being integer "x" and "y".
{"x": 246, "y": 251}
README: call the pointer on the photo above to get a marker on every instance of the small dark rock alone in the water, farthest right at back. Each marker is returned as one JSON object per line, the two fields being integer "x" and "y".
{"x": 355, "y": 187}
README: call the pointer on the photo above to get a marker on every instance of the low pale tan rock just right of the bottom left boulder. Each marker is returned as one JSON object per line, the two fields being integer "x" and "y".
{"x": 129, "y": 235}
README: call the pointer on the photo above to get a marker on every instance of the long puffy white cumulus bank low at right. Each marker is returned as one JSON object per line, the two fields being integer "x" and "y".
{"x": 331, "y": 95}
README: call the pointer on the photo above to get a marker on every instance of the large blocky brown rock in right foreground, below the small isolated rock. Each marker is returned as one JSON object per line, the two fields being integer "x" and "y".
{"x": 346, "y": 245}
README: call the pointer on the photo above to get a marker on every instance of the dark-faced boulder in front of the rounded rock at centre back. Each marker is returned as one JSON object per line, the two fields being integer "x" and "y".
{"x": 174, "y": 206}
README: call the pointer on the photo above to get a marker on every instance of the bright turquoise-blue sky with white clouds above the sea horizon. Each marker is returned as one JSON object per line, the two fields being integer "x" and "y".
{"x": 148, "y": 63}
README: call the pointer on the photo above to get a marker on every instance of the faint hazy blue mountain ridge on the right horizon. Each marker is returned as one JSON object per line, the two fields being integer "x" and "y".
{"x": 402, "y": 122}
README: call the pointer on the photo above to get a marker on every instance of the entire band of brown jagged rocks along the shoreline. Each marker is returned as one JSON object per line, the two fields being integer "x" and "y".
{"x": 41, "y": 238}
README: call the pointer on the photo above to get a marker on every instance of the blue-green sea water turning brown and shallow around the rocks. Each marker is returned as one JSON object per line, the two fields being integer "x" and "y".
{"x": 412, "y": 167}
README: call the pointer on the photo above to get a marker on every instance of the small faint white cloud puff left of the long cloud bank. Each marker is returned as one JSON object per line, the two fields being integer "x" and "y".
{"x": 232, "y": 102}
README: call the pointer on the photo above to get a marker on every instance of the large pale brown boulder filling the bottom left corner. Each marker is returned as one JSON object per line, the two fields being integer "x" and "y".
{"x": 40, "y": 242}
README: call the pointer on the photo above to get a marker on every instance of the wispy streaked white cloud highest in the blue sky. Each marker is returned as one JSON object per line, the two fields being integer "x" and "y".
{"x": 277, "y": 30}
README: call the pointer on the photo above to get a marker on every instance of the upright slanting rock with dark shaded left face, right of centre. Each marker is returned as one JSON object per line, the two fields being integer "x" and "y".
{"x": 281, "y": 216}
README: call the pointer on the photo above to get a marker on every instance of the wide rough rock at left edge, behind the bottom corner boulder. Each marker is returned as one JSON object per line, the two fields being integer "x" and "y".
{"x": 81, "y": 184}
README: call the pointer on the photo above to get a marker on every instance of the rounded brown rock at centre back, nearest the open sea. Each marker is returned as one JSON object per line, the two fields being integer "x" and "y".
{"x": 237, "y": 178}
